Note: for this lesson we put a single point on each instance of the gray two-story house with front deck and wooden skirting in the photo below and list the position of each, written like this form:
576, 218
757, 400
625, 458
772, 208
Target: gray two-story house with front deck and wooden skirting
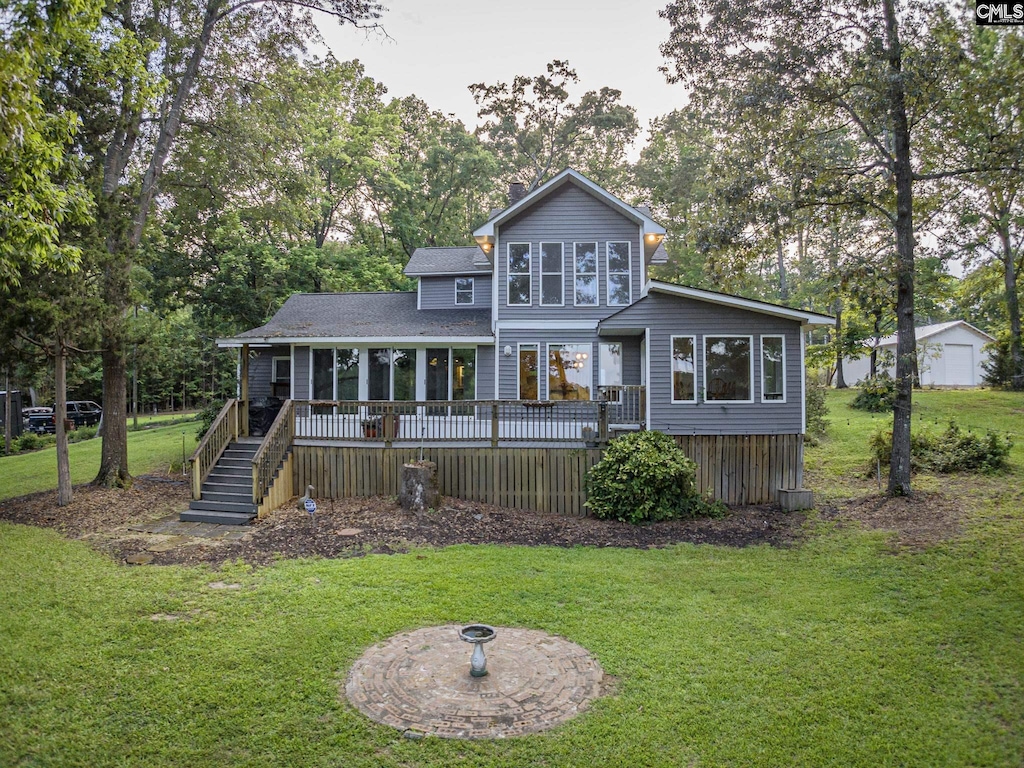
515, 362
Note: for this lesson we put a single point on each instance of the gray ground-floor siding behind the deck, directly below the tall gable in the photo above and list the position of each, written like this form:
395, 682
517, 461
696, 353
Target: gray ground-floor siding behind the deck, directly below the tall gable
508, 368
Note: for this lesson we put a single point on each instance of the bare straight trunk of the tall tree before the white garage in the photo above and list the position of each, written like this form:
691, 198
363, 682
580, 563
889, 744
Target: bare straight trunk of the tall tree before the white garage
907, 356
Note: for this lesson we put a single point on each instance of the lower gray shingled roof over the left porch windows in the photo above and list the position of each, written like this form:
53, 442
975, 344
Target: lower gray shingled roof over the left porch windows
342, 318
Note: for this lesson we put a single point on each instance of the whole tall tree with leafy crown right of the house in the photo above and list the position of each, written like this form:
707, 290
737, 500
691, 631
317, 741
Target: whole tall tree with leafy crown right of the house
851, 70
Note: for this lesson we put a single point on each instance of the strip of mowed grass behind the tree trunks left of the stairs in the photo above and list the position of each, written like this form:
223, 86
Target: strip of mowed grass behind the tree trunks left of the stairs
149, 451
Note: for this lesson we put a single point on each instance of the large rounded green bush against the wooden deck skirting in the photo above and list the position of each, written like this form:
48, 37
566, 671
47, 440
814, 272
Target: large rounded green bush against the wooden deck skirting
644, 478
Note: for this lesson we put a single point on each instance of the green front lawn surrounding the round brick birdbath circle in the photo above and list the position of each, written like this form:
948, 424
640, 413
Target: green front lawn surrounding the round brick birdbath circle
837, 653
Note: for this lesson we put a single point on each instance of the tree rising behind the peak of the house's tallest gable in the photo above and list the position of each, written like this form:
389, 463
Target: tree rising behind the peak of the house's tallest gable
535, 129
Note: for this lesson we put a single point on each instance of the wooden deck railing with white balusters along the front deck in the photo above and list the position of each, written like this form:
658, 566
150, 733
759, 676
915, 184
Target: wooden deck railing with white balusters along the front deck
497, 422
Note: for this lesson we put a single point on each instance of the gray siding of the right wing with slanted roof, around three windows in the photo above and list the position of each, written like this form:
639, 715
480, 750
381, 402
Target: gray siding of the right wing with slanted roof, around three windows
673, 316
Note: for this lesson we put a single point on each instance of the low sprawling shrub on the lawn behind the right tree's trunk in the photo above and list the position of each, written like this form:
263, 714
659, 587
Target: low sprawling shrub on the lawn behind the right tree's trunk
953, 451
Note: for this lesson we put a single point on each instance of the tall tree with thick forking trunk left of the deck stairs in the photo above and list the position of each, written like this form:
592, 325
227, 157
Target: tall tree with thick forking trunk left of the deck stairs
183, 44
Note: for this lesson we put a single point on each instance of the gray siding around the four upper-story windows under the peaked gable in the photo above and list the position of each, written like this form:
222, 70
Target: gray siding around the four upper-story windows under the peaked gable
569, 216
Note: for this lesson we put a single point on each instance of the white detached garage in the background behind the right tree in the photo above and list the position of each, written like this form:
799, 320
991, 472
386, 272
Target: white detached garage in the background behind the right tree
950, 355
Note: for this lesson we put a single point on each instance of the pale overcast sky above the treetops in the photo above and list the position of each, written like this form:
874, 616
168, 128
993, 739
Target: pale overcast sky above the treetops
440, 48
